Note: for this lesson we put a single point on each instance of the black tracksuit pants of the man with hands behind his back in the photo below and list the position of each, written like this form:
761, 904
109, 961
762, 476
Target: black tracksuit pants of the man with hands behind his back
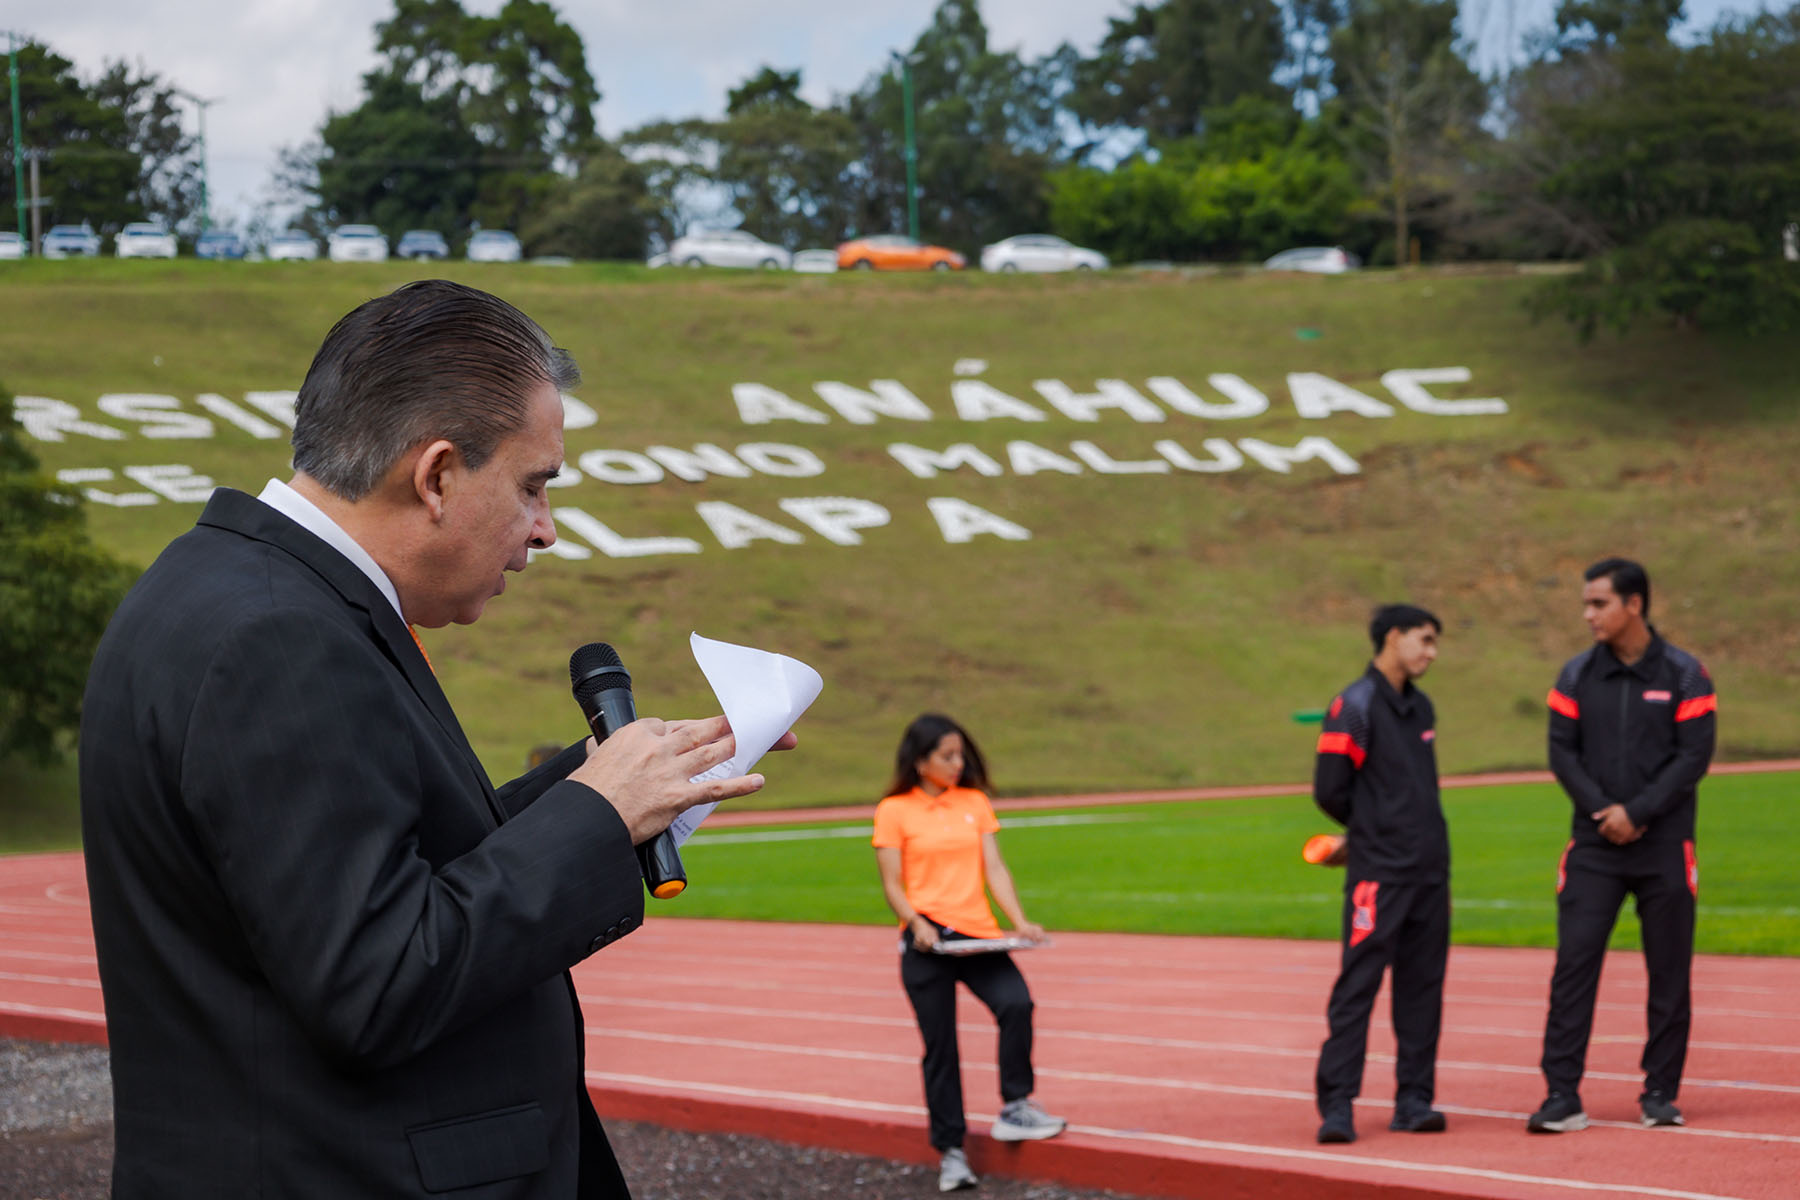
1405, 927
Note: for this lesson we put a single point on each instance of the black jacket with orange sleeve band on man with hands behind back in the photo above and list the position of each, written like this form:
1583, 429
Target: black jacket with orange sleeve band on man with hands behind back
1378, 775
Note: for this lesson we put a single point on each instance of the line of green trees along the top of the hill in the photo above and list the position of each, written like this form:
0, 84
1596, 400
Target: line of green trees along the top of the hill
1198, 130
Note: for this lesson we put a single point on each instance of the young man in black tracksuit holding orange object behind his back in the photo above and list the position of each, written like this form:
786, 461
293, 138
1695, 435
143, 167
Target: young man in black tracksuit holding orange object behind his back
1378, 775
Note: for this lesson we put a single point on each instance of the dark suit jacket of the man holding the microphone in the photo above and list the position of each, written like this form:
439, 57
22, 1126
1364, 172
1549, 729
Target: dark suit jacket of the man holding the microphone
334, 958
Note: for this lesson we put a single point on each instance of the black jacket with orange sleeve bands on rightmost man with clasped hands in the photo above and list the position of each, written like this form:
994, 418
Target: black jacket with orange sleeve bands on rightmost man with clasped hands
1637, 735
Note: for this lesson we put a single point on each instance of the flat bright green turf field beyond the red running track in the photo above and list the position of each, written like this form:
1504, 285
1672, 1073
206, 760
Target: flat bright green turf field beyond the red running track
1234, 868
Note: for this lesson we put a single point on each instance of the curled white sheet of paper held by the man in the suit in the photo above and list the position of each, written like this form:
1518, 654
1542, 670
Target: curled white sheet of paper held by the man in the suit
762, 695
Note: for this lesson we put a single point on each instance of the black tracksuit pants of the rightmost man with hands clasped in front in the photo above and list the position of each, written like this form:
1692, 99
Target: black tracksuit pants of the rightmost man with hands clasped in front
1592, 886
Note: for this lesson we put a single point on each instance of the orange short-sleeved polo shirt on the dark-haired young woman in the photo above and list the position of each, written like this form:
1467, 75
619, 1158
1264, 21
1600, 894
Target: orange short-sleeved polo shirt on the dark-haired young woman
940, 855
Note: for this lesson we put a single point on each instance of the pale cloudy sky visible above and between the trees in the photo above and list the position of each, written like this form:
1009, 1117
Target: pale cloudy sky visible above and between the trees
278, 67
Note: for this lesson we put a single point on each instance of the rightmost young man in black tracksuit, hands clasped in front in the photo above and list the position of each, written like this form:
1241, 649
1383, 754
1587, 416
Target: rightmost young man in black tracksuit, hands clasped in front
1632, 733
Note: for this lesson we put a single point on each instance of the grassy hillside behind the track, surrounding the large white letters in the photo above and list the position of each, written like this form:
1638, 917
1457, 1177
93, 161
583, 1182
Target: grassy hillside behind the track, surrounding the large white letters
1156, 629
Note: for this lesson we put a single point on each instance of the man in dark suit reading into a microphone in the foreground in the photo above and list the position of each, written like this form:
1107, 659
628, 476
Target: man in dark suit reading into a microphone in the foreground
336, 958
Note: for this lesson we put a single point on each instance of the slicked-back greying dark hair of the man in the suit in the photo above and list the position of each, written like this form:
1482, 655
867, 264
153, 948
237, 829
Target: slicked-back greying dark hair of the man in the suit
429, 361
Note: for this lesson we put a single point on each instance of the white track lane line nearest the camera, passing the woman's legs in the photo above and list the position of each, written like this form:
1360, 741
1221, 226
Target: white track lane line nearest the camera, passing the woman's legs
1338, 1161
